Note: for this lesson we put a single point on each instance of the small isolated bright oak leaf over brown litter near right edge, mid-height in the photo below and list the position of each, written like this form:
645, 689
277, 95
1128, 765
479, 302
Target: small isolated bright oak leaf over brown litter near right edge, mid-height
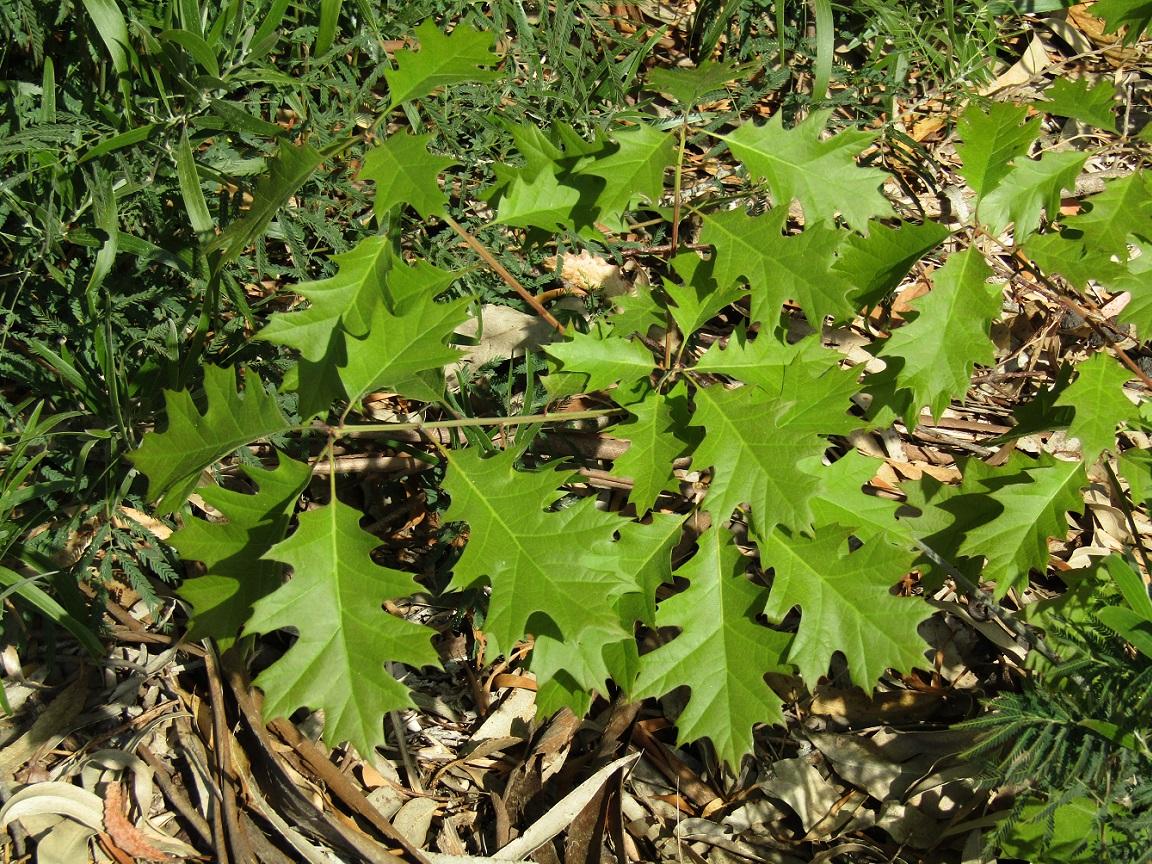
1098, 399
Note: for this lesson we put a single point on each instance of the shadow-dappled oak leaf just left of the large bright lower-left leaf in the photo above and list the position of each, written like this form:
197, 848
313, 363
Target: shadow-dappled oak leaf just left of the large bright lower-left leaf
236, 573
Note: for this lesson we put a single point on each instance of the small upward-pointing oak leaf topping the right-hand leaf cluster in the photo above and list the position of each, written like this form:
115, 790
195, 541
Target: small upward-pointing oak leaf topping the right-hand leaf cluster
992, 139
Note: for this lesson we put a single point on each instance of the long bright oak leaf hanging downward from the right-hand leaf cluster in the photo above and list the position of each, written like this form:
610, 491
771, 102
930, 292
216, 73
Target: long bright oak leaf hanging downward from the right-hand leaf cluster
935, 369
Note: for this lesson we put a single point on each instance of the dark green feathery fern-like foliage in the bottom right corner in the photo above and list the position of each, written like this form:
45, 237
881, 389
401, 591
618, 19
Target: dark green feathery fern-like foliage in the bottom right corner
1074, 749
